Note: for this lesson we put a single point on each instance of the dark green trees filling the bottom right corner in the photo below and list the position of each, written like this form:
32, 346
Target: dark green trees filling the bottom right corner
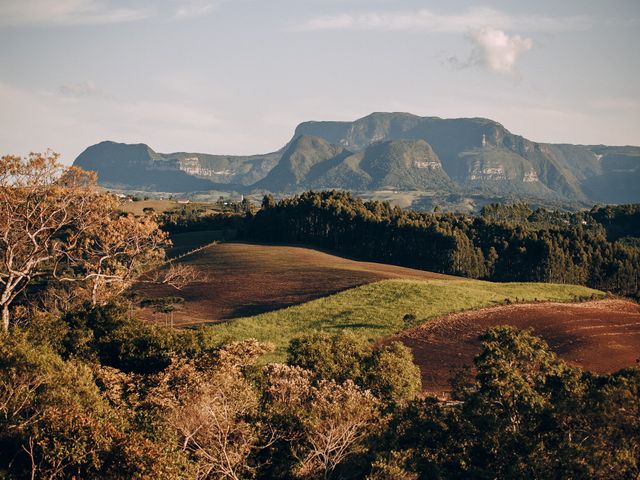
528, 415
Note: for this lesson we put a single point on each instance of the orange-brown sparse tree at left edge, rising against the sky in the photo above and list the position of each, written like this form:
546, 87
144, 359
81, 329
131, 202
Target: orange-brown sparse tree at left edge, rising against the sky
39, 201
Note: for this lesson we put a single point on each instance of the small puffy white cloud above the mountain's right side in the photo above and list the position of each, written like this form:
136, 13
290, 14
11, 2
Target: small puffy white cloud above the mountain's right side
496, 50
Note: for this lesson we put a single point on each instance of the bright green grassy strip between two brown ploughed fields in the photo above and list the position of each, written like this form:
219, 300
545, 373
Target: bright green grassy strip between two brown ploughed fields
378, 309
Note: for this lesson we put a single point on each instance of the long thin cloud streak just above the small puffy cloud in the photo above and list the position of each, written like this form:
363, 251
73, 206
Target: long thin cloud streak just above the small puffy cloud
425, 19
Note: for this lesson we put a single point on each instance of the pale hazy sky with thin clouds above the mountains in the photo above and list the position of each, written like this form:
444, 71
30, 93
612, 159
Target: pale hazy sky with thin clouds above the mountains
237, 76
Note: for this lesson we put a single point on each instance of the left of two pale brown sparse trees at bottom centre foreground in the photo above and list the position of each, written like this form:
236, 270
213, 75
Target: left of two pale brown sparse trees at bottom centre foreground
214, 410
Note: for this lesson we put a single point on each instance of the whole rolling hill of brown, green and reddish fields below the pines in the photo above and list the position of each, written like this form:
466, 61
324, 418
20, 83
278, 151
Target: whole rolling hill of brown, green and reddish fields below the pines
275, 293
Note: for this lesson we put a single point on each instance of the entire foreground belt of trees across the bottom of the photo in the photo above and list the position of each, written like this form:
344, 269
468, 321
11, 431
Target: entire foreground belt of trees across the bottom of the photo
97, 394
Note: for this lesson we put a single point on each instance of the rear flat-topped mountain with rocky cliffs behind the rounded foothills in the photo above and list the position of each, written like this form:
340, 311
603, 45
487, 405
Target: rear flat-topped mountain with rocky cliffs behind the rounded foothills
481, 154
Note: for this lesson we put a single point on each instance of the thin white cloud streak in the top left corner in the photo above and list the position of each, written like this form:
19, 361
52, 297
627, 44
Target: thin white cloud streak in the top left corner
66, 12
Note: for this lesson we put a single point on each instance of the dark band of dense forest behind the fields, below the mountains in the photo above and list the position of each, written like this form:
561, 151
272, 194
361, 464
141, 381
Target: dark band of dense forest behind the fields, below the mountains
504, 243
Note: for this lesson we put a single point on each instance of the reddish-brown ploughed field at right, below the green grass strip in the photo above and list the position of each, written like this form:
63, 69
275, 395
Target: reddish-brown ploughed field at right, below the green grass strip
600, 336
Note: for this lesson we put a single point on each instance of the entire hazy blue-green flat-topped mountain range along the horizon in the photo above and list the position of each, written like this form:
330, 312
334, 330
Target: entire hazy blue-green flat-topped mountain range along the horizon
387, 151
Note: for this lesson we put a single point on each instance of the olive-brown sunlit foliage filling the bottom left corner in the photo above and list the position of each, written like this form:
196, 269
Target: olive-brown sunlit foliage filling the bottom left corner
54, 422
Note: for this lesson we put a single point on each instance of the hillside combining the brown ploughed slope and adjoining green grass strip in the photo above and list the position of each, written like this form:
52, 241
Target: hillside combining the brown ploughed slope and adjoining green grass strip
274, 293
